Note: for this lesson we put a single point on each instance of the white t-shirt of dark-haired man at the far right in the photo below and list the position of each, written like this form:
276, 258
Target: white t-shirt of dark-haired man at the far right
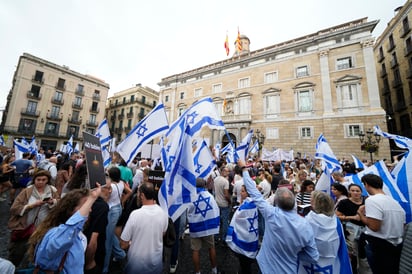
387, 210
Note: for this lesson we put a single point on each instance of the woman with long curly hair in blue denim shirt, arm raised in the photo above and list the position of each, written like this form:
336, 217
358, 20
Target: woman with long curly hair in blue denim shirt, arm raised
59, 238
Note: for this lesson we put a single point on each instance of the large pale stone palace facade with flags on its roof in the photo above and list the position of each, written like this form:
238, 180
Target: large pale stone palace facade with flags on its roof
324, 82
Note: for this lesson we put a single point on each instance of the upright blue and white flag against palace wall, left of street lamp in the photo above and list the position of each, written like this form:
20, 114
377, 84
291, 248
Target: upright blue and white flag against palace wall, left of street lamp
330, 164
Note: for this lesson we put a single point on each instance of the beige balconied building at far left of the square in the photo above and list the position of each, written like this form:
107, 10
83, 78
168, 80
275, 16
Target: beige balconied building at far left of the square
52, 102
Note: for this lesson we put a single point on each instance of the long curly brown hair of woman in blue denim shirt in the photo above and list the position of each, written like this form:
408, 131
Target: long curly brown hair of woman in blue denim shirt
57, 215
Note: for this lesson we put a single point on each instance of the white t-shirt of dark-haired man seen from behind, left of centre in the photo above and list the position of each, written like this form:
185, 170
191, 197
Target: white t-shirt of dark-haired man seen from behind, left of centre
144, 229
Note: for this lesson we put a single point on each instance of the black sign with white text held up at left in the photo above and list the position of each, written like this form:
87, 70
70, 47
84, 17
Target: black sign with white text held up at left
94, 160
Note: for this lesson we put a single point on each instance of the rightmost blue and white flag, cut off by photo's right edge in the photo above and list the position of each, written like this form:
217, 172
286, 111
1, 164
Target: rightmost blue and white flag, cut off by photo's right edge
402, 172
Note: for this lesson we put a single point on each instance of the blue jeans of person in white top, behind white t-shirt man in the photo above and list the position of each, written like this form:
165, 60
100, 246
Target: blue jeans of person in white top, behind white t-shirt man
112, 242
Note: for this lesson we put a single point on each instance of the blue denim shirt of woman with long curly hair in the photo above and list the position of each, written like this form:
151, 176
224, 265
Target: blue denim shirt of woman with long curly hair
58, 240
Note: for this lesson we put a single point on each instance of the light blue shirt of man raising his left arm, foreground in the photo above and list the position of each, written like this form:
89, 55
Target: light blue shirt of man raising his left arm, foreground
288, 237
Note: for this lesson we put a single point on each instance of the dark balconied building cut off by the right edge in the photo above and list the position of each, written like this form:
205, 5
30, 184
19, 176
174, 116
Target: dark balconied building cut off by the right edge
393, 52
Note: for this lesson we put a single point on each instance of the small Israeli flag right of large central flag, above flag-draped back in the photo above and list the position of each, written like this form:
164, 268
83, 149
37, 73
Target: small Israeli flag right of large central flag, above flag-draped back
203, 161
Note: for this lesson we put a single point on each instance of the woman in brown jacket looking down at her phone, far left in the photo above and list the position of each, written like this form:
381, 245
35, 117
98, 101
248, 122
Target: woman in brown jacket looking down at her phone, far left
31, 206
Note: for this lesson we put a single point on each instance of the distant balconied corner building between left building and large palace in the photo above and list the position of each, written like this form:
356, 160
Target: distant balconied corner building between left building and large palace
126, 108
